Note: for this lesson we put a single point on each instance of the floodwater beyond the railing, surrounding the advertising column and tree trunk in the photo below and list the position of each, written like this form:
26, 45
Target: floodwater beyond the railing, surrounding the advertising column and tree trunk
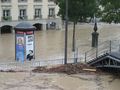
50, 44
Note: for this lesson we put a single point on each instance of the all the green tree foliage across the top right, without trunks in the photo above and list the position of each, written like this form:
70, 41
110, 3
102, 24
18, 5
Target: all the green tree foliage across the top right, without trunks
80, 10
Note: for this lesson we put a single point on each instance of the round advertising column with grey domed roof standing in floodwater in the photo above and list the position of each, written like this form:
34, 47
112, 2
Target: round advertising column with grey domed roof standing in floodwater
24, 42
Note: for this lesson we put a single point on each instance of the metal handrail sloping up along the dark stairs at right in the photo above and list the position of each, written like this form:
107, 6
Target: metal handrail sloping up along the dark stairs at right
101, 49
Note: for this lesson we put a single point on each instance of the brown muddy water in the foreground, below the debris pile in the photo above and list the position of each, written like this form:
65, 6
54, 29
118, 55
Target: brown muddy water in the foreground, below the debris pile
36, 81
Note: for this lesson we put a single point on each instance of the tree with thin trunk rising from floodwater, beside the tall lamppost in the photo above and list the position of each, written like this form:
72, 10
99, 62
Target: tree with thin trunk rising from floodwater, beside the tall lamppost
78, 10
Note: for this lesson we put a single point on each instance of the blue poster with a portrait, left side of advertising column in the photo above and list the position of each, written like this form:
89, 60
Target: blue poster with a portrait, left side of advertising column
20, 48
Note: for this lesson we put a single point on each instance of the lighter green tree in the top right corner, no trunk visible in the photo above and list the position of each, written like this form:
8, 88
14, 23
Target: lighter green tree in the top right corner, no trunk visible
110, 10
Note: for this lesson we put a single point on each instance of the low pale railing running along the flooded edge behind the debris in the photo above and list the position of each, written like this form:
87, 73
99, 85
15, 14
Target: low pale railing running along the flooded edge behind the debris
28, 65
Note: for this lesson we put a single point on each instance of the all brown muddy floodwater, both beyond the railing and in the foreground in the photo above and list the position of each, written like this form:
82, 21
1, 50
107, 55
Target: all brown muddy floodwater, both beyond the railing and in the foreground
50, 45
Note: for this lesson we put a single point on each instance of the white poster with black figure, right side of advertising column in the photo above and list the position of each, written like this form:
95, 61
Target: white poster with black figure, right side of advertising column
29, 47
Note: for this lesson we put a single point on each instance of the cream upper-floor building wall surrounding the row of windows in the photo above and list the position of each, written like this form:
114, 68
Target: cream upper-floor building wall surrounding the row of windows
30, 9
